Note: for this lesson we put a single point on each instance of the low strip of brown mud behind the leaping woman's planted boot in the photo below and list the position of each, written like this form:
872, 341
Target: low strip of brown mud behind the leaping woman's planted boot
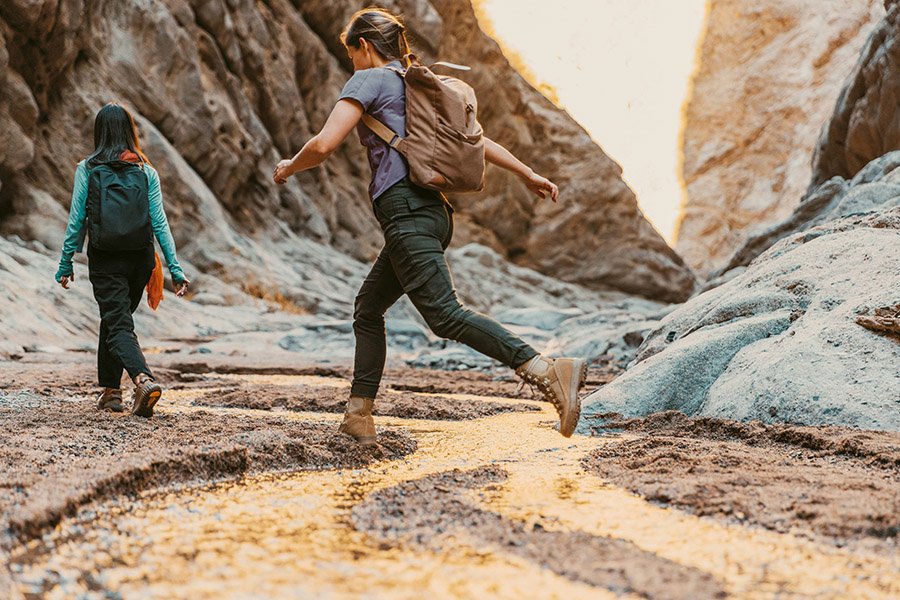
318, 398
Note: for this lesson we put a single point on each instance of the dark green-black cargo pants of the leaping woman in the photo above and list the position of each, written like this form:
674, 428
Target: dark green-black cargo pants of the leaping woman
418, 226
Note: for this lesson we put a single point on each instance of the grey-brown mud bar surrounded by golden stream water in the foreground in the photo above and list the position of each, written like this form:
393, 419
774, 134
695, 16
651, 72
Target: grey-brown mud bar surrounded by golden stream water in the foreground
430, 511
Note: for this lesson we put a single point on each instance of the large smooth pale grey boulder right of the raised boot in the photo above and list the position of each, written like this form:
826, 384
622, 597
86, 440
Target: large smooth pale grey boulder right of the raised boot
782, 340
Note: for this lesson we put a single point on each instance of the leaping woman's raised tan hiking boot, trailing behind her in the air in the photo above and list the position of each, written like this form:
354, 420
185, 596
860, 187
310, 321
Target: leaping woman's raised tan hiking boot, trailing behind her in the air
559, 380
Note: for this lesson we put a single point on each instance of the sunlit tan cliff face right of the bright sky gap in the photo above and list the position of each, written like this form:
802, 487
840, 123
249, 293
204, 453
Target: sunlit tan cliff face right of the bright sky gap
769, 74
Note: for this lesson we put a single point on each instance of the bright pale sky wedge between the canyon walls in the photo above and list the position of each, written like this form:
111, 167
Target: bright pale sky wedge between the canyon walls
621, 68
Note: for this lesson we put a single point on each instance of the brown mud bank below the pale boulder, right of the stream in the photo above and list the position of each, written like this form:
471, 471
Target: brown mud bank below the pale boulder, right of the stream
836, 483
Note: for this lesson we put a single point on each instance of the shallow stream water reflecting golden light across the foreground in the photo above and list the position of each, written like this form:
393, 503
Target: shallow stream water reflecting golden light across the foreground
292, 535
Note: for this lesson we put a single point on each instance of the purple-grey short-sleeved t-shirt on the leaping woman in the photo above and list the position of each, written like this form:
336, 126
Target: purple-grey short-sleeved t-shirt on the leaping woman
382, 94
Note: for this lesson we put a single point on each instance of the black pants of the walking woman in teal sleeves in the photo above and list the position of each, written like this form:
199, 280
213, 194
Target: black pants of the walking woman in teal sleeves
119, 279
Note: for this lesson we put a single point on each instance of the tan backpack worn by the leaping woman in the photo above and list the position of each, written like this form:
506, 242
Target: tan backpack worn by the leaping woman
444, 145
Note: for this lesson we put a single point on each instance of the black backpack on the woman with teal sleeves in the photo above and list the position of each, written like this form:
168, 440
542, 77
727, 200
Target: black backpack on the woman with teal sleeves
118, 207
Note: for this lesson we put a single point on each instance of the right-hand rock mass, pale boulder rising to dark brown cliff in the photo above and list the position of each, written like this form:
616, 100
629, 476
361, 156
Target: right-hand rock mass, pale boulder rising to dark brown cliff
802, 324
